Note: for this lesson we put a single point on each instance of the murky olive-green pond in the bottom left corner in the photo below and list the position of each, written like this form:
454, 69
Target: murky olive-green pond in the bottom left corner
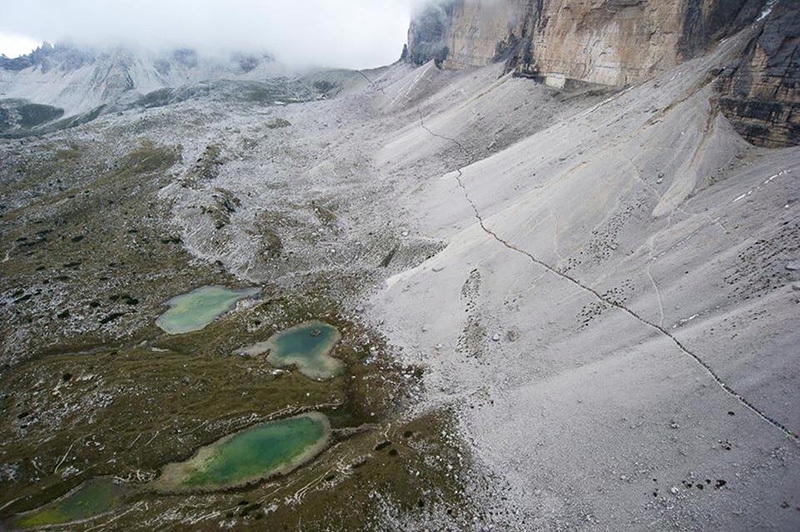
90, 499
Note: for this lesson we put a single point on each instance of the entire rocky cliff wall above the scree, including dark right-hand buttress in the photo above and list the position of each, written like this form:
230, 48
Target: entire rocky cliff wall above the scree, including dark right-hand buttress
619, 42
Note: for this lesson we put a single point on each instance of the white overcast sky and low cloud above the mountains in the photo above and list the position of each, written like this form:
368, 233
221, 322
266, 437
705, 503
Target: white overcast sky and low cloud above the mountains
340, 33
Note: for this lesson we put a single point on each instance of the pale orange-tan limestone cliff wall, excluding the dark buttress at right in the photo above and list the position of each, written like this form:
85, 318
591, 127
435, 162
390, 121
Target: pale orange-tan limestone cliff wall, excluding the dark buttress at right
611, 42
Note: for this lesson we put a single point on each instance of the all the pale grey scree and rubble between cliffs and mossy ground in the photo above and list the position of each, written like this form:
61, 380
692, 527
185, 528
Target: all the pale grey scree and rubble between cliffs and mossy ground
595, 281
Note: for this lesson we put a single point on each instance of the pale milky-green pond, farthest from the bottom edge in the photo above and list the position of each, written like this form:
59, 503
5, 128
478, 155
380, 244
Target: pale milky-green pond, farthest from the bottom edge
193, 311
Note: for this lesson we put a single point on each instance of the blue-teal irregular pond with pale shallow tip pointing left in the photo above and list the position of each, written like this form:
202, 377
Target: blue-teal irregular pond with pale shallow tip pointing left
306, 346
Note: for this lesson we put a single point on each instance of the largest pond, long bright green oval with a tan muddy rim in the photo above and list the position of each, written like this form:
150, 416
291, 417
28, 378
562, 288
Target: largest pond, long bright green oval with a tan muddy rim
269, 449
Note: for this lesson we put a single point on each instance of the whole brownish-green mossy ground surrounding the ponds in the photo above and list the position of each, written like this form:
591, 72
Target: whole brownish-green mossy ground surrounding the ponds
91, 387
